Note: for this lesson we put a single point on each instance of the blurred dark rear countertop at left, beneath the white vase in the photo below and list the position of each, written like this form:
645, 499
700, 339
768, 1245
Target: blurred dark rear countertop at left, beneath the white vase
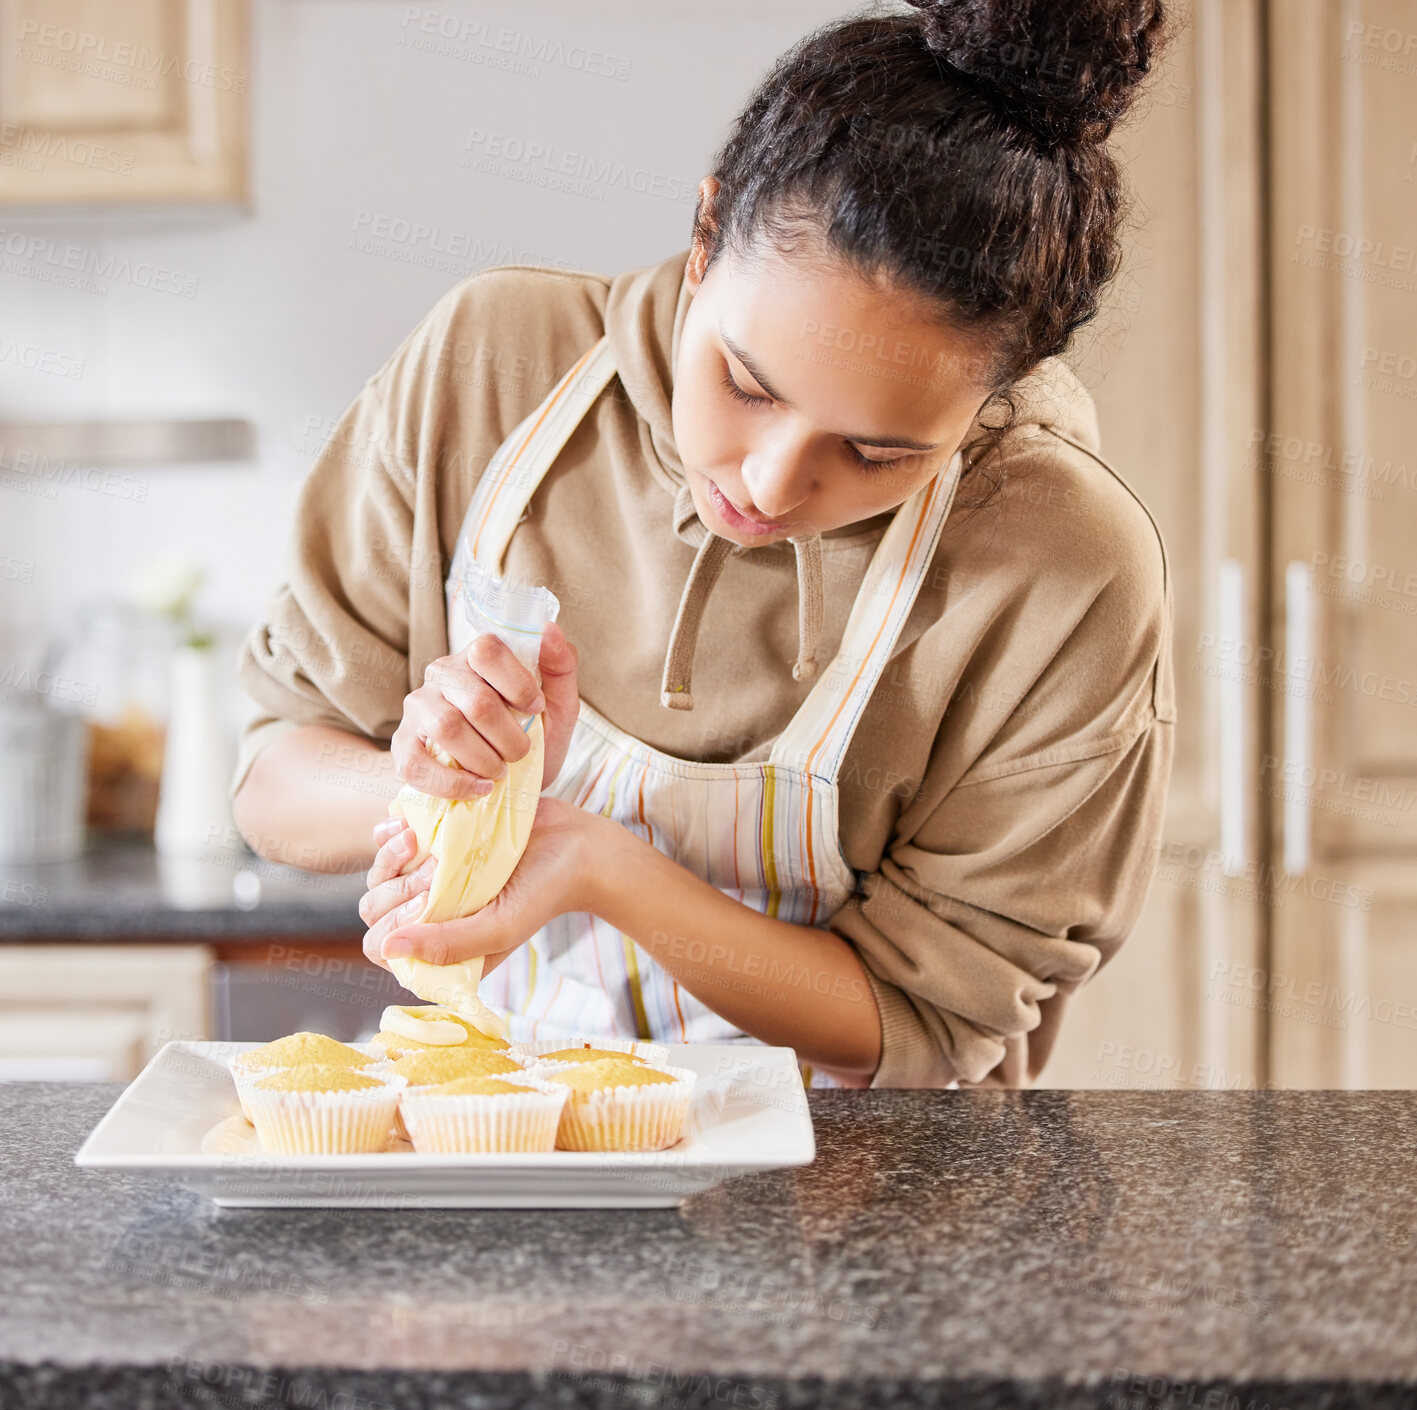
121, 889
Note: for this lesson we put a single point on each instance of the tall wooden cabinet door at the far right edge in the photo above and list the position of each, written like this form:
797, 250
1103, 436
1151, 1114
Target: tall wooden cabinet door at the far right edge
1343, 777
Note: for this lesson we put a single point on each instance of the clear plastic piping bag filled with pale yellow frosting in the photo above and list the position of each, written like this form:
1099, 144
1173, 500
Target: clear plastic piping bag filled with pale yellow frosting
478, 842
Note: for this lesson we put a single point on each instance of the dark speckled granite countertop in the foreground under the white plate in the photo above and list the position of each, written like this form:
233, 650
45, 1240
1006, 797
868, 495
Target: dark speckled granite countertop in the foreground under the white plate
1134, 1251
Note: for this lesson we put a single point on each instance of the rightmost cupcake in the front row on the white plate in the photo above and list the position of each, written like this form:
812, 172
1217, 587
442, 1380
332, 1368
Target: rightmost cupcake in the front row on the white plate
620, 1105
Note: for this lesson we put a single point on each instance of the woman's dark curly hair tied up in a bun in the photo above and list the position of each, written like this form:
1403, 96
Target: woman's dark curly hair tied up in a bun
959, 151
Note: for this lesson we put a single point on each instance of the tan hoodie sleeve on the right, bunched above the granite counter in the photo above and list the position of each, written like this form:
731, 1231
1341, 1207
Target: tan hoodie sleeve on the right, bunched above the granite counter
1034, 865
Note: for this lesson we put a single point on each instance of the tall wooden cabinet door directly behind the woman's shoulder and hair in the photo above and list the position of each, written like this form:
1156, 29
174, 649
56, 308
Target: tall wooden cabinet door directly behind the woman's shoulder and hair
1174, 363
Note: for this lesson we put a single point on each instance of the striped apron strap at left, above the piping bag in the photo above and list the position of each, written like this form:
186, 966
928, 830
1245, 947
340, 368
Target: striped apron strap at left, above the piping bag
512, 475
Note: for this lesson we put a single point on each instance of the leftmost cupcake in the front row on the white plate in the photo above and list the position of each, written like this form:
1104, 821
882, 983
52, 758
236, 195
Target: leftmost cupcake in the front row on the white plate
324, 1110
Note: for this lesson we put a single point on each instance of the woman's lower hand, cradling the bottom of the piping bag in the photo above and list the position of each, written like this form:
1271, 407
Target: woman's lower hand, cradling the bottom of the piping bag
553, 876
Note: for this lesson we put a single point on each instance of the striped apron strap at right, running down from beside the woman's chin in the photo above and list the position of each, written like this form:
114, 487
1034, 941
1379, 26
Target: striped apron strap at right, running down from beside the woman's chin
820, 733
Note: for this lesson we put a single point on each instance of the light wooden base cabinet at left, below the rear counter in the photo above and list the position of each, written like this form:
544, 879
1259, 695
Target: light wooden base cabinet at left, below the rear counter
98, 1013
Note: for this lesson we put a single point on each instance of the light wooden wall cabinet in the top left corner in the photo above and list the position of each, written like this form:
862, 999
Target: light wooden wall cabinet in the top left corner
123, 101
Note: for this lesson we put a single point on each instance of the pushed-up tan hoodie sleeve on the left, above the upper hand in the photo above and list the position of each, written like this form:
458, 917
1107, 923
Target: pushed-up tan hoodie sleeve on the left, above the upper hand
362, 613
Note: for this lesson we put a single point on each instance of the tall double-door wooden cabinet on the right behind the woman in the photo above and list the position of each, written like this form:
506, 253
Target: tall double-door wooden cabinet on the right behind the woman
1256, 380
